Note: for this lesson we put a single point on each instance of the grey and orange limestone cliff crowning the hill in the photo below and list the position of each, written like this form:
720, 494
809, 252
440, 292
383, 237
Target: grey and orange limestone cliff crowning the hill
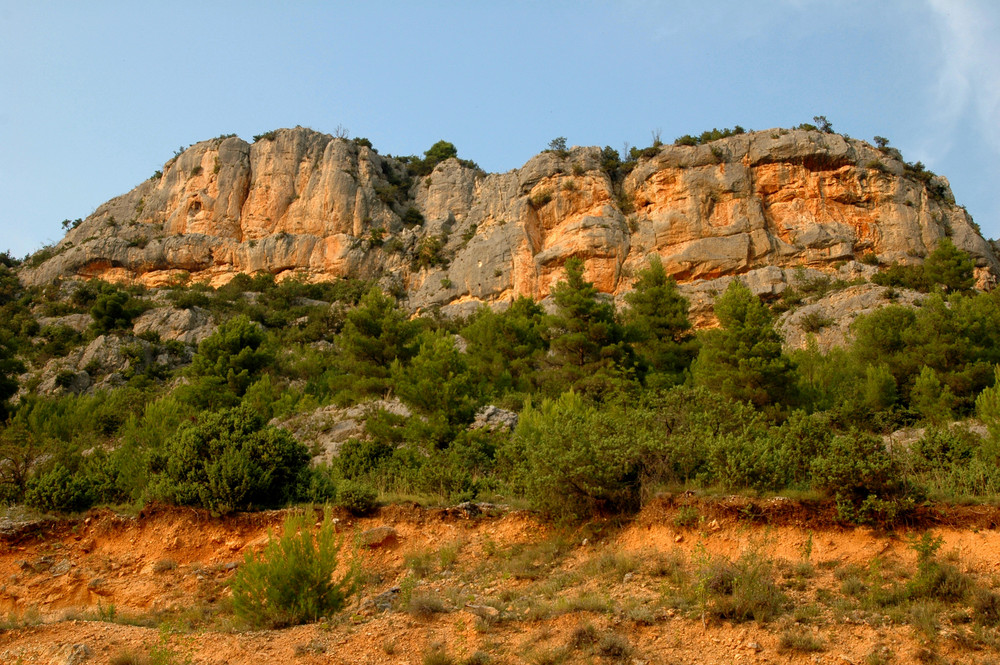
305, 204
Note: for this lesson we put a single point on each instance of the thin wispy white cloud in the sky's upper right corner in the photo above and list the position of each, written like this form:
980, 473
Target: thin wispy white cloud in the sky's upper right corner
968, 82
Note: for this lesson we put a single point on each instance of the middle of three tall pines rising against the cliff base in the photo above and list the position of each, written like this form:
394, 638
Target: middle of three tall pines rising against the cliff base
659, 327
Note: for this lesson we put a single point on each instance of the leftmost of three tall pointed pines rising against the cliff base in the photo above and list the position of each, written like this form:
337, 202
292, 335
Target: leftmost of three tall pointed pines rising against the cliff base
588, 348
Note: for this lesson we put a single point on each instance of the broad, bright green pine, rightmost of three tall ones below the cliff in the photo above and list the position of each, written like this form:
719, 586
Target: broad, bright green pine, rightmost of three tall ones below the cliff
743, 359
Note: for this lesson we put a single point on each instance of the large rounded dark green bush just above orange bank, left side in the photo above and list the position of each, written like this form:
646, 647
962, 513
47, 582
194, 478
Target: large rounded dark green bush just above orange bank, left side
232, 460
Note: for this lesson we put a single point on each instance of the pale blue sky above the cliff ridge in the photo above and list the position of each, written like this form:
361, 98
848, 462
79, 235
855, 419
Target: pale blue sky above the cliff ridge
95, 96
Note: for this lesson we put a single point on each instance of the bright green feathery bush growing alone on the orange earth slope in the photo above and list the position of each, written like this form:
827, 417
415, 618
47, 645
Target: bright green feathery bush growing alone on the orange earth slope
292, 582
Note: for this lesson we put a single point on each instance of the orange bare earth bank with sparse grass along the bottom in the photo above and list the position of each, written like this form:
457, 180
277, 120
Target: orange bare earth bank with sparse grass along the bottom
462, 585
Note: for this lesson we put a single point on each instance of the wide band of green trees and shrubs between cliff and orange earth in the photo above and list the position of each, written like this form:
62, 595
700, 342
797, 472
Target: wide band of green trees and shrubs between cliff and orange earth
615, 404
